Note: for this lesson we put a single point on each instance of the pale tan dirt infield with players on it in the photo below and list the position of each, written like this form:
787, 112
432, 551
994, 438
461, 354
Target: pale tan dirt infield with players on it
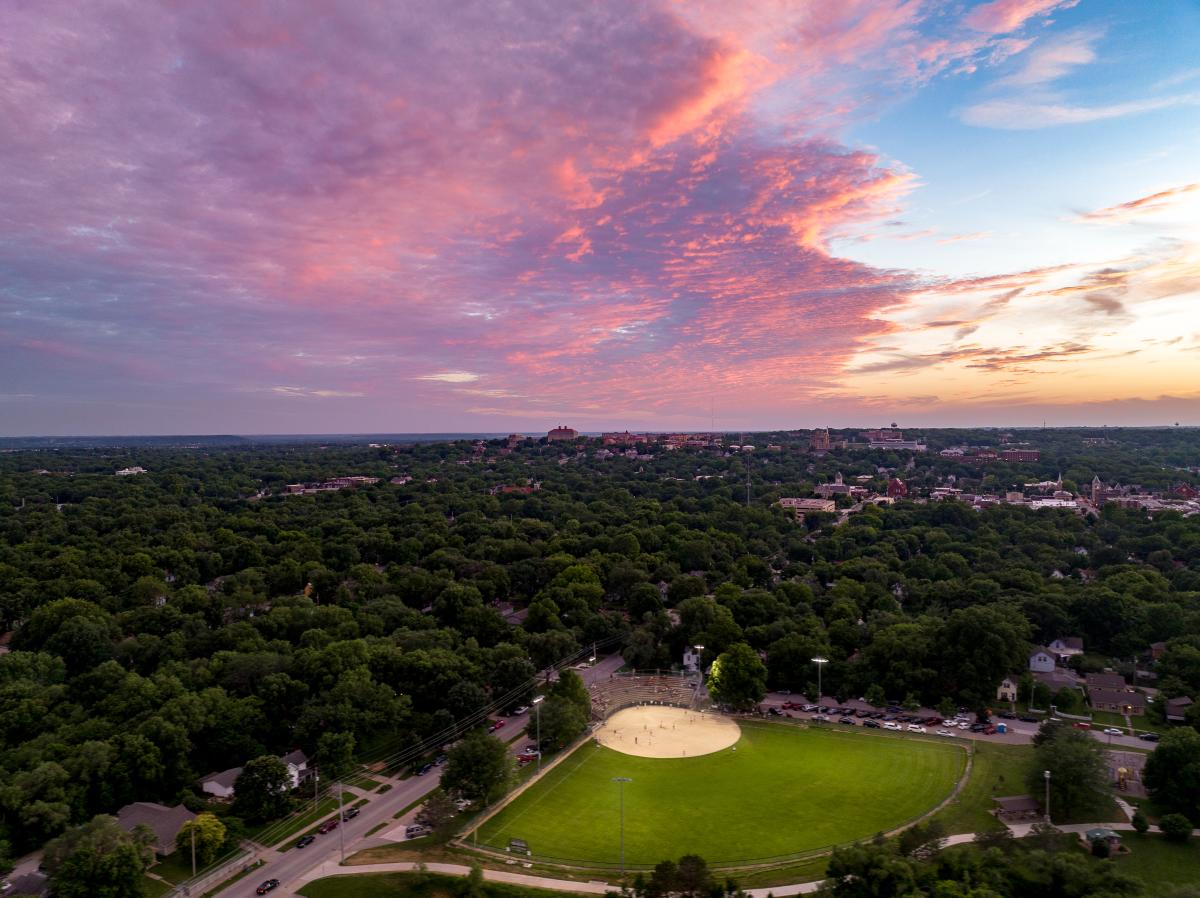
662, 732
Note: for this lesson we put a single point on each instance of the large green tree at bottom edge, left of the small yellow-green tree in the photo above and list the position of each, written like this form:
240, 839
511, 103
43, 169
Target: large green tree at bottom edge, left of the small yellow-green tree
99, 860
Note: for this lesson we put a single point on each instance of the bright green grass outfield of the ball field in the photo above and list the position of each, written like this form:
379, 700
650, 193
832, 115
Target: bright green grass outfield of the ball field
785, 791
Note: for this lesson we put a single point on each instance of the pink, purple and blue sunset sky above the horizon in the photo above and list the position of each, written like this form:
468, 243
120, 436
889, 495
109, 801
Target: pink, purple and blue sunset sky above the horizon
401, 217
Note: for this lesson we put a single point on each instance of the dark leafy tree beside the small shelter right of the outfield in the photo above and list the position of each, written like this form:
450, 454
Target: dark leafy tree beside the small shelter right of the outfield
1079, 779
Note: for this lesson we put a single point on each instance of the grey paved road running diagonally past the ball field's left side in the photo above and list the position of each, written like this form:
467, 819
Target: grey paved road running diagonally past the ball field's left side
295, 867
